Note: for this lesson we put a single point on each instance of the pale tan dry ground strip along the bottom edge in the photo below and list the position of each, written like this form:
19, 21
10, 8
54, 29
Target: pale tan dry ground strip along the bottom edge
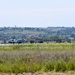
42, 73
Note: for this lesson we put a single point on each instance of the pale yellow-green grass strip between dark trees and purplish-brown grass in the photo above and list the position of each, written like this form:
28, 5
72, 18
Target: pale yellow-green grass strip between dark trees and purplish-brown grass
39, 46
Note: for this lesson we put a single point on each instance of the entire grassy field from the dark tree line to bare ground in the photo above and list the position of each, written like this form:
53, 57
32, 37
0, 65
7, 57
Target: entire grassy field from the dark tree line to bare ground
56, 57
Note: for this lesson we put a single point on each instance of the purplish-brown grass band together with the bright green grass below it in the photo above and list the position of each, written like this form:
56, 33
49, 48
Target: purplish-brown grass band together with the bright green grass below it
33, 61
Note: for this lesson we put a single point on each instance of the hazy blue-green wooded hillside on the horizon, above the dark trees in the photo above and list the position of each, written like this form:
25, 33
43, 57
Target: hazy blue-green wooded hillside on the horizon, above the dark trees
48, 33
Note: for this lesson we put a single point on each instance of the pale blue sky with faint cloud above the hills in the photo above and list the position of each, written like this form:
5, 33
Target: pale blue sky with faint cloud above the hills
37, 13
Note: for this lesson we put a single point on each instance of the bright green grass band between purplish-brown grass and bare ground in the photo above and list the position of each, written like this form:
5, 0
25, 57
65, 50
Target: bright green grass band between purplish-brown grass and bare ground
20, 67
